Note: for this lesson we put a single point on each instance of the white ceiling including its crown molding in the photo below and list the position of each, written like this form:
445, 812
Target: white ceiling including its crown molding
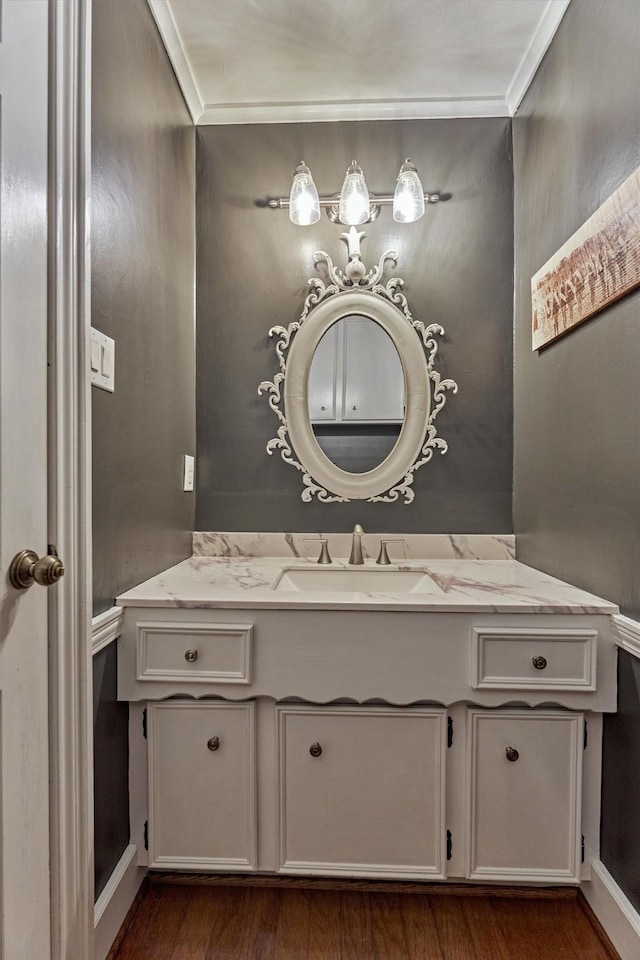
262, 61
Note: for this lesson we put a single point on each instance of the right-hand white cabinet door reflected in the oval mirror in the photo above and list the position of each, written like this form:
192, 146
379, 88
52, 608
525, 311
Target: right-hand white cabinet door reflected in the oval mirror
373, 385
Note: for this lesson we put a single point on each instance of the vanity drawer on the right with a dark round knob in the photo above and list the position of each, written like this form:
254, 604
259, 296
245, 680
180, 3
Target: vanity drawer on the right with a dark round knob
533, 659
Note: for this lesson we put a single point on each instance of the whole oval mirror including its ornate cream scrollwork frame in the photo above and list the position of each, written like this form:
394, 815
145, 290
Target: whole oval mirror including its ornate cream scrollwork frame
357, 392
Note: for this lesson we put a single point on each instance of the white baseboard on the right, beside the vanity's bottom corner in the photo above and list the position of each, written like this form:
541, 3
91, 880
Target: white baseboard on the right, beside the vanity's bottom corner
615, 912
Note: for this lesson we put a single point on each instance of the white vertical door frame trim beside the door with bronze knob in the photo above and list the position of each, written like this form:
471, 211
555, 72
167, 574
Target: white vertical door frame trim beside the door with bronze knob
70, 667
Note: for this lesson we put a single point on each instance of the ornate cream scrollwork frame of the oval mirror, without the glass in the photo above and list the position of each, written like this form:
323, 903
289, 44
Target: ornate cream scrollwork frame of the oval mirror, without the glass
345, 293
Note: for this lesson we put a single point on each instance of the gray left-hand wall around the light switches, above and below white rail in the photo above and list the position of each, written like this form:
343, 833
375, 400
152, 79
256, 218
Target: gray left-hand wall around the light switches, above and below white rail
143, 238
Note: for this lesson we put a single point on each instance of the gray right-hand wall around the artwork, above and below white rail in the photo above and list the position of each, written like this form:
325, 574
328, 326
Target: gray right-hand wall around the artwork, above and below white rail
577, 440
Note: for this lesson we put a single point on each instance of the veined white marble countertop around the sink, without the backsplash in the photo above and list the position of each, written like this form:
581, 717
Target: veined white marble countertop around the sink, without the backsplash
461, 586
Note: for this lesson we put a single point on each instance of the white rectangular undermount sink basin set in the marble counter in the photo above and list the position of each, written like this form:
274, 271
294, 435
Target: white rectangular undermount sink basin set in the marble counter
356, 581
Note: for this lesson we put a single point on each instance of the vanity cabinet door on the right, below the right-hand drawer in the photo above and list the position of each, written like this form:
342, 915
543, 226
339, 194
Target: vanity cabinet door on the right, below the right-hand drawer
524, 791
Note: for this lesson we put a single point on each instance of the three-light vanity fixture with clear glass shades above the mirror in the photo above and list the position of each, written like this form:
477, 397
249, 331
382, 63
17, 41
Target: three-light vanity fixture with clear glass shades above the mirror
354, 204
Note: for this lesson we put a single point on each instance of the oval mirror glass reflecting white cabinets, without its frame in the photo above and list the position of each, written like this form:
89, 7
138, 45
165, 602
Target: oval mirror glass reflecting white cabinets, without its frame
356, 394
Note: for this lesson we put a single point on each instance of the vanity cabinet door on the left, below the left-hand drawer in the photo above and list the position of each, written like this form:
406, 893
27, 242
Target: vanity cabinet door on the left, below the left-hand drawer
202, 805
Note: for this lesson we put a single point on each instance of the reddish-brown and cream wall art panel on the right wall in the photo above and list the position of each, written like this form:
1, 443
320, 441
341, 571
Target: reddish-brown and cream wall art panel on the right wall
599, 264
